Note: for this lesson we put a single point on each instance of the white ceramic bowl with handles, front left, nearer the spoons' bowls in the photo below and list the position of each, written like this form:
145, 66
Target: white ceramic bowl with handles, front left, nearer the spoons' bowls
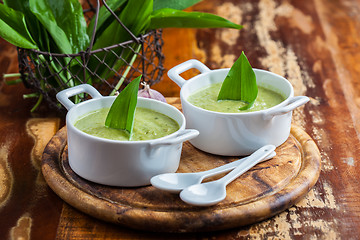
120, 163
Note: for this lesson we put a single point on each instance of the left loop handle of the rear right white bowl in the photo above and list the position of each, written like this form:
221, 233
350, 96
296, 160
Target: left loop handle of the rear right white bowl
174, 73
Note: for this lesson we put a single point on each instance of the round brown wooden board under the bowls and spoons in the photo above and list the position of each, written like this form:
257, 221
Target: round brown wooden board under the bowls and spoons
265, 190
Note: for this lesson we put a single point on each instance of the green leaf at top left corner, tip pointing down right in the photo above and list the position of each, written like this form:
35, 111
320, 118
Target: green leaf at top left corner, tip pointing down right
13, 28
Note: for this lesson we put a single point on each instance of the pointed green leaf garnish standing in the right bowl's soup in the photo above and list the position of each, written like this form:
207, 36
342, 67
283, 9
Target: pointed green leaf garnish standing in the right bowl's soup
240, 83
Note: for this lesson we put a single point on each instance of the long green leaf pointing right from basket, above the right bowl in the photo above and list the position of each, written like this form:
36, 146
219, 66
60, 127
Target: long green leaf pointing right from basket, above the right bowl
172, 18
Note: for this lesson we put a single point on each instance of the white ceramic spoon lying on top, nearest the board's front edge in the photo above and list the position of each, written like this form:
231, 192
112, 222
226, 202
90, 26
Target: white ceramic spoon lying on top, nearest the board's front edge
210, 193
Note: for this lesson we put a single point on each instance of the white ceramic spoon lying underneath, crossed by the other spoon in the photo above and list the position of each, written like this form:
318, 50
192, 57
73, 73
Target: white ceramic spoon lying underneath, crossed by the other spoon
176, 182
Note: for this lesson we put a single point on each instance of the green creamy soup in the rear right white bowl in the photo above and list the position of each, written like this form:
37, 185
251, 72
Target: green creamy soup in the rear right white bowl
207, 99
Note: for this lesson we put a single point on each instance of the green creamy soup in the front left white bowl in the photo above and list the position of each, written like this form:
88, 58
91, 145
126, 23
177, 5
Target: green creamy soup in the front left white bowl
148, 124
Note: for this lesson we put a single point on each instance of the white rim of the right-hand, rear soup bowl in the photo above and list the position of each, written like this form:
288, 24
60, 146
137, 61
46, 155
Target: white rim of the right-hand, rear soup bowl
236, 114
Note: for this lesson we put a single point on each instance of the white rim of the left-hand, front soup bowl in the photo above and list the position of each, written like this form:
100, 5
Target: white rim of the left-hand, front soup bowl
106, 140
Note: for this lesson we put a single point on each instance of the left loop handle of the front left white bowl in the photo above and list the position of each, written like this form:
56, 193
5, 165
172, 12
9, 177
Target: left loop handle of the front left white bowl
64, 95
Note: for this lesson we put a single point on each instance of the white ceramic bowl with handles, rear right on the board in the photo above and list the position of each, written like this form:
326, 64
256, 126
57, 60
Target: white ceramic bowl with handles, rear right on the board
235, 134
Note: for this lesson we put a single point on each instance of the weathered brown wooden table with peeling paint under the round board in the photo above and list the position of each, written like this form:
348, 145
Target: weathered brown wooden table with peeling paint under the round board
315, 44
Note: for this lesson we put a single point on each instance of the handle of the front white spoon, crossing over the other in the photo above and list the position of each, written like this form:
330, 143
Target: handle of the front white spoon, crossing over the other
244, 166
